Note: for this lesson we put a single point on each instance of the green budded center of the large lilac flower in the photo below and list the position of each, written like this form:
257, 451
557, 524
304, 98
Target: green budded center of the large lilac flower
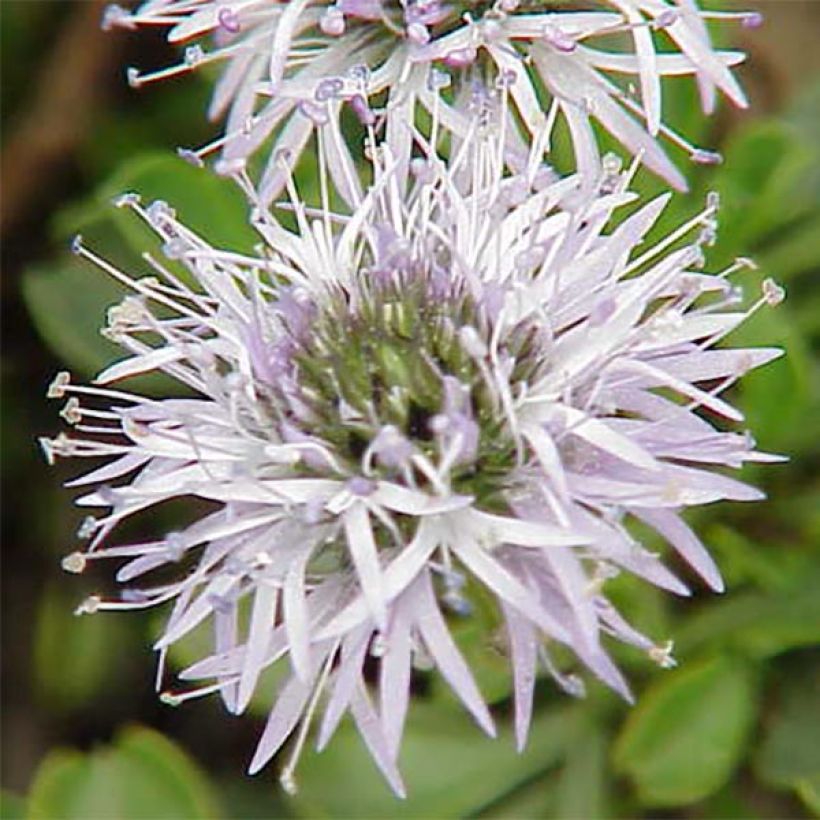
398, 356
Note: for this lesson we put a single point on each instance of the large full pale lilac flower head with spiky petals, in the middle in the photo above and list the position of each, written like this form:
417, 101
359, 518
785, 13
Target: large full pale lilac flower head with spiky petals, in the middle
463, 392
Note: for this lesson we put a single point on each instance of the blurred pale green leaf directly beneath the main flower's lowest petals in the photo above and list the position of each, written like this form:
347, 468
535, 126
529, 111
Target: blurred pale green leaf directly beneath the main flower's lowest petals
450, 769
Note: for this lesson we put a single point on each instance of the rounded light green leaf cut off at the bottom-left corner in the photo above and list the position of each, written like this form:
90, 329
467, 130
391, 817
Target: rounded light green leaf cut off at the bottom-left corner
143, 776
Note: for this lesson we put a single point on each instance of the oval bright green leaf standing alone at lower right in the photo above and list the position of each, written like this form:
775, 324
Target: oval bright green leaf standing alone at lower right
688, 733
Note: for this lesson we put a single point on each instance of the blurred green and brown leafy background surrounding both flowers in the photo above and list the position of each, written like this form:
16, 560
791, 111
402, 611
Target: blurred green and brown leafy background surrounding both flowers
732, 732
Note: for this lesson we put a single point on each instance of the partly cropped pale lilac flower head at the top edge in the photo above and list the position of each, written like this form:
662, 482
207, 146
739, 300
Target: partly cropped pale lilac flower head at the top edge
291, 66
